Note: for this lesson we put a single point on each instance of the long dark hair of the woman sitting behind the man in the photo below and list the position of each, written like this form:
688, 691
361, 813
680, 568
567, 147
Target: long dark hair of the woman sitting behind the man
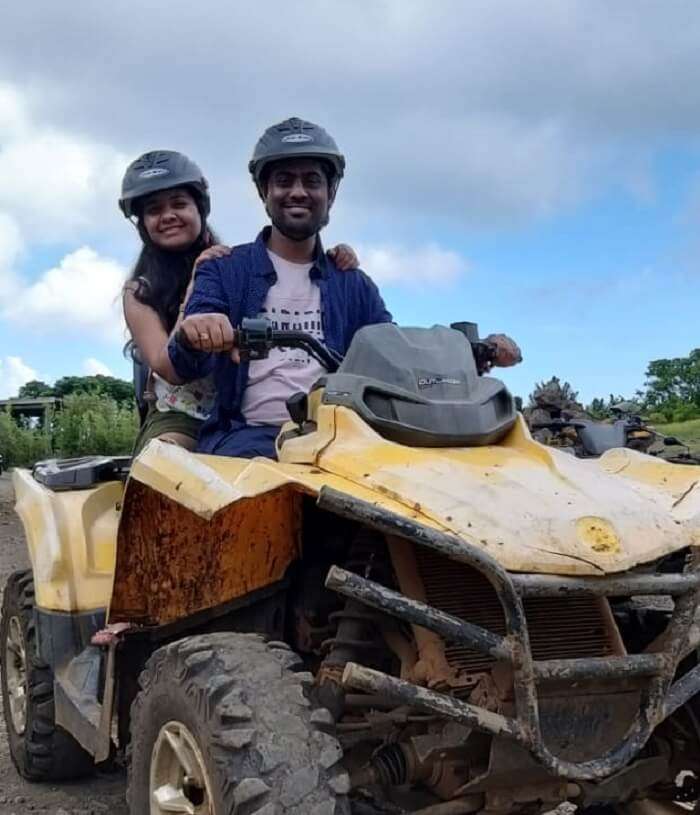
162, 277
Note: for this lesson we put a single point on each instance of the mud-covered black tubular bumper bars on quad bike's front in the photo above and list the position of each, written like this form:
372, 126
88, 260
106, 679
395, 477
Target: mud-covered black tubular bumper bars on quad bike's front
660, 695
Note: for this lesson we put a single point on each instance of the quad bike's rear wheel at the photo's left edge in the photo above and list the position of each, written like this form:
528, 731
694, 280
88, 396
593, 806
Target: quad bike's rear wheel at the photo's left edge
40, 749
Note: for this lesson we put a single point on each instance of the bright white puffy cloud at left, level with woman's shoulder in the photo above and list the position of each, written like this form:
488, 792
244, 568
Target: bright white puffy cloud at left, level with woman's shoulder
80, 294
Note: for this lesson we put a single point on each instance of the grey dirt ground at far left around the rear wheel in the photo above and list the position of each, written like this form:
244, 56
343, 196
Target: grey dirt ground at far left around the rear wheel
92, 796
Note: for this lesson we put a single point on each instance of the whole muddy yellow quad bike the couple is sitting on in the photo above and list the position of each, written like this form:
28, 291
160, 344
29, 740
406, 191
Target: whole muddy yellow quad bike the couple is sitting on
417, 608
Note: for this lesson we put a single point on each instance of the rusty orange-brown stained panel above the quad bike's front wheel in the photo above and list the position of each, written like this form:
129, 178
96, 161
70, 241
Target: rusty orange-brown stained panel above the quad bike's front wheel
172, 563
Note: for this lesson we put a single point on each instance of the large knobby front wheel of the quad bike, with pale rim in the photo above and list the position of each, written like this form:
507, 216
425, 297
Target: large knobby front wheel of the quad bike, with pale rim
222, 724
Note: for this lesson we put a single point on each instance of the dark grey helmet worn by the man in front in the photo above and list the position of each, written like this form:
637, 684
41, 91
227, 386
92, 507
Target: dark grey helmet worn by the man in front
295, 138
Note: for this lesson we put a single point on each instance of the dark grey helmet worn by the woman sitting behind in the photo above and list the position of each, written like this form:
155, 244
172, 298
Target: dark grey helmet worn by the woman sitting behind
162, 170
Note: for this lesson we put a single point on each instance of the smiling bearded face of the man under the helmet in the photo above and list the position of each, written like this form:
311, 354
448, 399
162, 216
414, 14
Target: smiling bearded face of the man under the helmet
297, 197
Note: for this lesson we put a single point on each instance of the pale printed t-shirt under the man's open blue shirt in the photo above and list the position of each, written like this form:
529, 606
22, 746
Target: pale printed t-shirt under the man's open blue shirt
293, 303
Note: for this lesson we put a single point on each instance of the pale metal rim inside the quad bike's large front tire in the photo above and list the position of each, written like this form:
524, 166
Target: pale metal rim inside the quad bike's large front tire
179, 781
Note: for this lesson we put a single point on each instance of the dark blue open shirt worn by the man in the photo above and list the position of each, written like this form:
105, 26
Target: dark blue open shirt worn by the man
237, 285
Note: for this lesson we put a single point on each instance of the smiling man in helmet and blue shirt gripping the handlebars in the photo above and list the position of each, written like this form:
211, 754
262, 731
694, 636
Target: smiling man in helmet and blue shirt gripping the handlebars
283, 276
